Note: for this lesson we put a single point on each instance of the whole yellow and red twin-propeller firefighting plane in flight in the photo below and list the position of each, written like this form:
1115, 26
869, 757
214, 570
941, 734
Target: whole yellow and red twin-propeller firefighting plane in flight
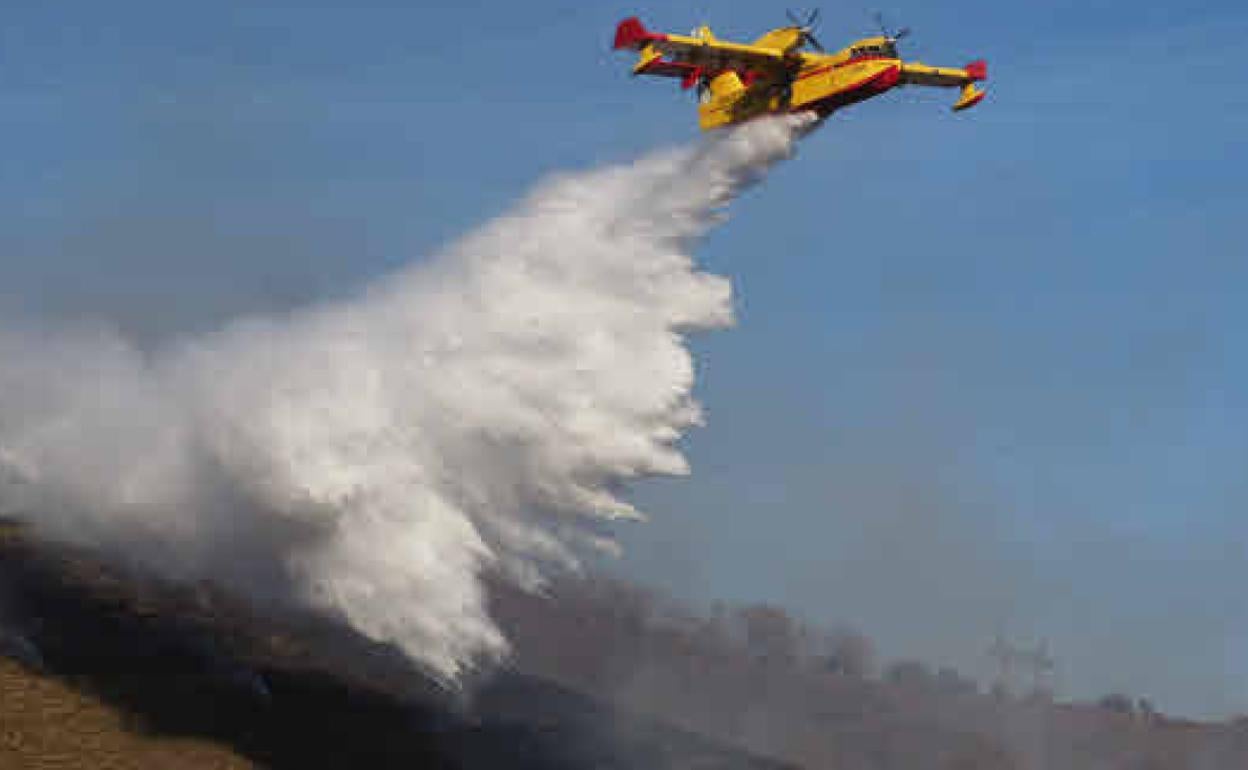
772, 76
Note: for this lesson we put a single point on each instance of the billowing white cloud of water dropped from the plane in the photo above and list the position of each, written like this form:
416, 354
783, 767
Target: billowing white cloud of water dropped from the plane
374, 459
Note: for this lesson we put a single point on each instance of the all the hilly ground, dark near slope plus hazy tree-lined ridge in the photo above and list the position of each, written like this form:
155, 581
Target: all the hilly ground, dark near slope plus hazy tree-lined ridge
125, 672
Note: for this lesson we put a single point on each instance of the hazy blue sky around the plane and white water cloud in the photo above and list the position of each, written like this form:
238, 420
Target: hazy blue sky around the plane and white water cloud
989, 371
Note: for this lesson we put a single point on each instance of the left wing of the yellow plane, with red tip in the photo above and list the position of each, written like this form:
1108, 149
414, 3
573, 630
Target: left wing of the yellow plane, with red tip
691, 58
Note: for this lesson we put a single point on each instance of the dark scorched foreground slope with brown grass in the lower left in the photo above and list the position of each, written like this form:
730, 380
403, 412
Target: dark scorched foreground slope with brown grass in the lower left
123, 672
